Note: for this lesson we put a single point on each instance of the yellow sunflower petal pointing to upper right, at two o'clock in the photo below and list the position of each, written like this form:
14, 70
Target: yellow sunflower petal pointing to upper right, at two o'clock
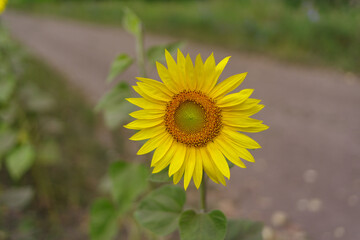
227, 85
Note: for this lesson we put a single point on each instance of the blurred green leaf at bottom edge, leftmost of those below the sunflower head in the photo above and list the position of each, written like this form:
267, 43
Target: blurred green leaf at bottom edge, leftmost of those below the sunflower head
103, 220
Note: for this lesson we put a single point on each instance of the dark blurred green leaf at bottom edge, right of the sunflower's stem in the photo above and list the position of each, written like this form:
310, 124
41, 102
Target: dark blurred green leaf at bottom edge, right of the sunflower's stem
244, 229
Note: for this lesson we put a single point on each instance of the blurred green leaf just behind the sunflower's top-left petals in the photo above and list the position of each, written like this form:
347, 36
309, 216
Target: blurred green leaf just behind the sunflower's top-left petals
157, 53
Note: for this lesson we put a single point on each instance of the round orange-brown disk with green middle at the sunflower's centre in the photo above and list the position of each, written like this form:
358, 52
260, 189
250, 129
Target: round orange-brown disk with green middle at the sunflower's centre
193, 118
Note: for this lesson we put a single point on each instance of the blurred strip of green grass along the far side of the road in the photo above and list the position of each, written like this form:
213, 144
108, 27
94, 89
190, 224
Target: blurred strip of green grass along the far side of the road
267, 27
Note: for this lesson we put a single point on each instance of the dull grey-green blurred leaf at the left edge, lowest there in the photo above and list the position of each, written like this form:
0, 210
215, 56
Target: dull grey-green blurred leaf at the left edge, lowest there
17, 198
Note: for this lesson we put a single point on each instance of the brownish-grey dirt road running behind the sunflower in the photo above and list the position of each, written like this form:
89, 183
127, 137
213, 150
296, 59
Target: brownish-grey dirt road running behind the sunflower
309, 166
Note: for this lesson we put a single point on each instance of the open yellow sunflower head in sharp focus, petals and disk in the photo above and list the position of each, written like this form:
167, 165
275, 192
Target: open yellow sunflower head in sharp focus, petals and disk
191, 121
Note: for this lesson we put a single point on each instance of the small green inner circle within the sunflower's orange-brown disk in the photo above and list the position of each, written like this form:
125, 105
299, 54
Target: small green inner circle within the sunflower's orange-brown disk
190, 117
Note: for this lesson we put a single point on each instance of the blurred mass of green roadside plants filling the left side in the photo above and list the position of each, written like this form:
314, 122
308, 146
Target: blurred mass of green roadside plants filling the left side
50, 157
